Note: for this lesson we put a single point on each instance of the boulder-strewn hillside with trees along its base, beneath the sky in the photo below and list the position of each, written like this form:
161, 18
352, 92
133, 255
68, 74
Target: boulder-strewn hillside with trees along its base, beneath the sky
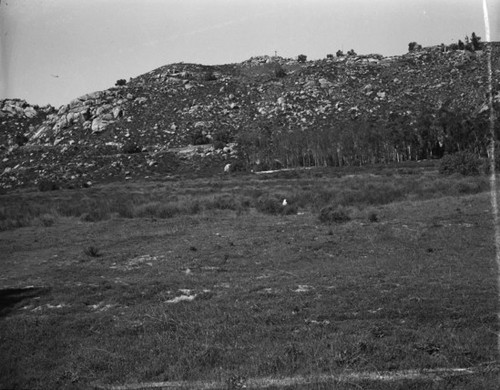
267, 112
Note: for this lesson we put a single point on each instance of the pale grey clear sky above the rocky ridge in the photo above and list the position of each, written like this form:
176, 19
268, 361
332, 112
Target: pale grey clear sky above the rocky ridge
52, 51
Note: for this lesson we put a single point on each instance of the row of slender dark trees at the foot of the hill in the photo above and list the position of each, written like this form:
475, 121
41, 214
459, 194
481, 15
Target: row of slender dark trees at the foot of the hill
276, 143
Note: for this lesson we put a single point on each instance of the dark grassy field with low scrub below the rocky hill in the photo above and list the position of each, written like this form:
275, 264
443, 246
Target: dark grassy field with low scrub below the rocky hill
202, 279
